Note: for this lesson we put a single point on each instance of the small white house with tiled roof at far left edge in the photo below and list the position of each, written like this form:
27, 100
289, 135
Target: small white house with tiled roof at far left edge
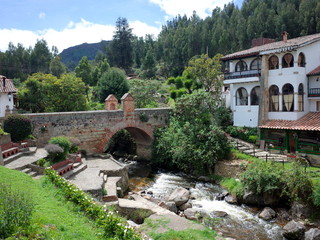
7, 89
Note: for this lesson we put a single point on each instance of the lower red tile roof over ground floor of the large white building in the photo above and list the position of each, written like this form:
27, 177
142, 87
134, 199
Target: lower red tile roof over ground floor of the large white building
309, 122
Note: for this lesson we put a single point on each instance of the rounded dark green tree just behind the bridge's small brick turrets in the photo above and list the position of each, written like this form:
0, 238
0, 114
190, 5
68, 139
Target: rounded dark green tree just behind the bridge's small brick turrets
112, 82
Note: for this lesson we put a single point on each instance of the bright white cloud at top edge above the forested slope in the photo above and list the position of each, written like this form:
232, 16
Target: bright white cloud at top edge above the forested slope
182, 7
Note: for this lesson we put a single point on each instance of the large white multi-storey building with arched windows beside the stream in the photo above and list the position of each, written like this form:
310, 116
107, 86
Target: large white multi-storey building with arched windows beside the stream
275, 85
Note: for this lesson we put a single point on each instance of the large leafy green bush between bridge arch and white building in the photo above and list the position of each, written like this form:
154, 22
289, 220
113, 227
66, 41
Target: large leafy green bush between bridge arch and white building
192, 141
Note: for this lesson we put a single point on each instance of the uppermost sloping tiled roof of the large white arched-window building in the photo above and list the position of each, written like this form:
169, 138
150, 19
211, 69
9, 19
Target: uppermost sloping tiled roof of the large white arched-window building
291, 44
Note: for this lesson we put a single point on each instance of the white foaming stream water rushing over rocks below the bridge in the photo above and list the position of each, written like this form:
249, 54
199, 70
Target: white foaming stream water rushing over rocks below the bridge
241, 223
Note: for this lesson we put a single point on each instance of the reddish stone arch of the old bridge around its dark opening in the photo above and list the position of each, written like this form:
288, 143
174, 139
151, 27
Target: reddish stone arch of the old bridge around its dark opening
143, 139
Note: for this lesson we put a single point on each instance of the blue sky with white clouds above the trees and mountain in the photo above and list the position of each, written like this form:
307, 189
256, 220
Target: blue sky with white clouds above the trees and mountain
66, 23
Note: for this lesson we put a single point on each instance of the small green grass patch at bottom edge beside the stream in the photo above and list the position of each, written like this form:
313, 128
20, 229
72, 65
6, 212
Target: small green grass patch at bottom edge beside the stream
190, 234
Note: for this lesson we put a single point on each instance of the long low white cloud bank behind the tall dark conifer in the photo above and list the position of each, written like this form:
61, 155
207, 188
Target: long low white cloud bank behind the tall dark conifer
73, 34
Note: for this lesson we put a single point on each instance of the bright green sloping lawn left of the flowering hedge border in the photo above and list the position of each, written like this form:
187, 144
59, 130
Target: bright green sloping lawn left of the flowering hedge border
53, 217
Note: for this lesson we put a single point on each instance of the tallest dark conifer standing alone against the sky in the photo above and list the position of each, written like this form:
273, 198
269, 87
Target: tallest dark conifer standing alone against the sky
119, 51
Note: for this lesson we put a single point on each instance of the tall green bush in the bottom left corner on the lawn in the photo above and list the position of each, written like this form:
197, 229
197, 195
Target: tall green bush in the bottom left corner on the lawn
15, 210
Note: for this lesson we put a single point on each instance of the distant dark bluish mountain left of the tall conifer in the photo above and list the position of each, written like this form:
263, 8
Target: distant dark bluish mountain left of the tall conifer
72, 55
